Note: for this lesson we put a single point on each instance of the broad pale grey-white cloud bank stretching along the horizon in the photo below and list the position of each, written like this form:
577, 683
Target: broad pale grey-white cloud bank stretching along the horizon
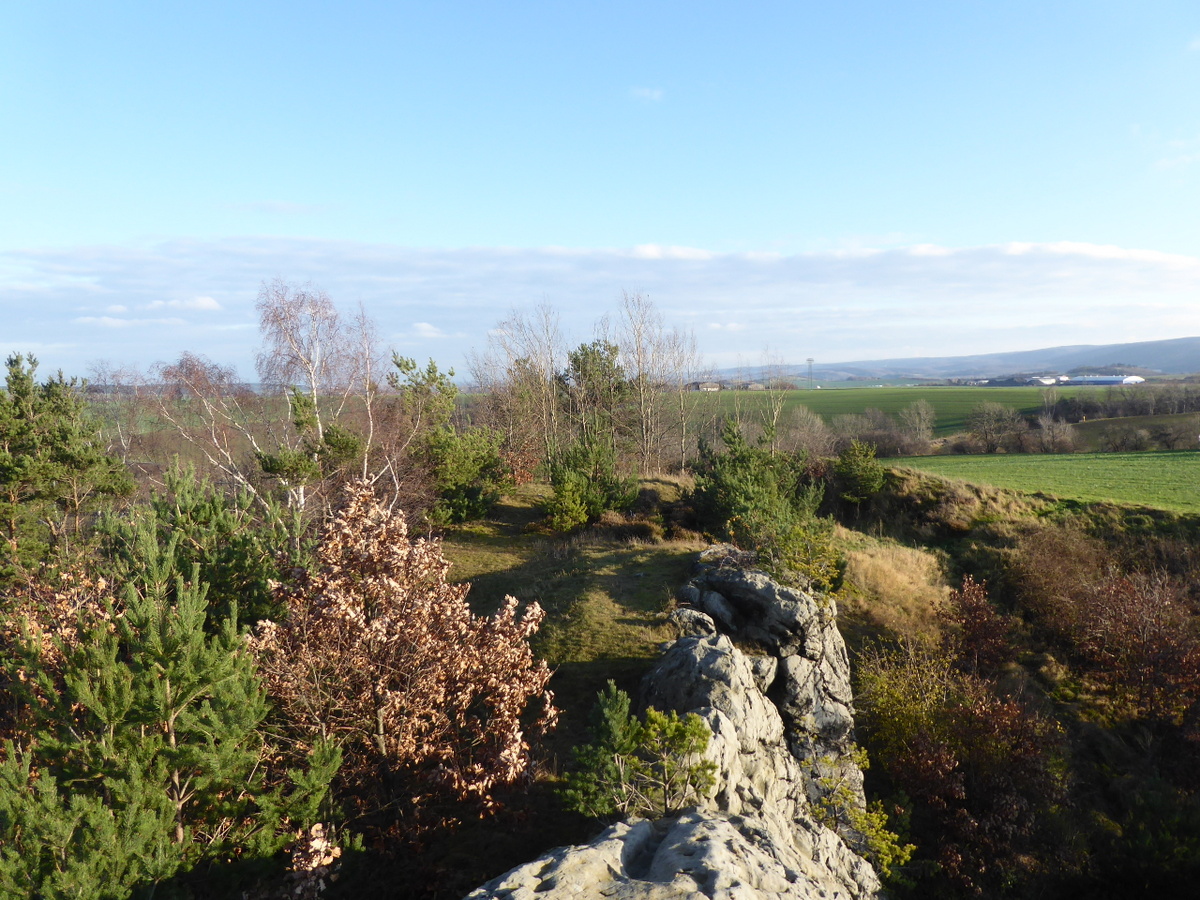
833, 305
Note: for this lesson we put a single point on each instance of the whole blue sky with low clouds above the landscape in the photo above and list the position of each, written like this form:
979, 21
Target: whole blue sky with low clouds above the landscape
844, 182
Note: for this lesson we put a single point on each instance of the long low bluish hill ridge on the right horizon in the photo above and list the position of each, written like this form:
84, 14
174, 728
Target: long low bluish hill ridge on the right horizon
1180, 356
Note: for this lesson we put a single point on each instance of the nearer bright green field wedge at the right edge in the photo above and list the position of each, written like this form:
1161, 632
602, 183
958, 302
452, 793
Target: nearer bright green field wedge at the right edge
1166, 481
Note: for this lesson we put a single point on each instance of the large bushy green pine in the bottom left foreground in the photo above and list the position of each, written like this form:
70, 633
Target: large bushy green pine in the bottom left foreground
145, 759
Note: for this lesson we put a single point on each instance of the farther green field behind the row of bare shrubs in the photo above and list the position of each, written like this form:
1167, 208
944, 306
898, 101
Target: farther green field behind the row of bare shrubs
951, 404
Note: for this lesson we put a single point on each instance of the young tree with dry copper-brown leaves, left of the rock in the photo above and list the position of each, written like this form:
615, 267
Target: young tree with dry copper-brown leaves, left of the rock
382, 655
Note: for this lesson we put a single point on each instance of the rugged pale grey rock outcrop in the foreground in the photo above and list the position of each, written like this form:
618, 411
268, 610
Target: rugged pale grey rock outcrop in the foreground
765, 667
